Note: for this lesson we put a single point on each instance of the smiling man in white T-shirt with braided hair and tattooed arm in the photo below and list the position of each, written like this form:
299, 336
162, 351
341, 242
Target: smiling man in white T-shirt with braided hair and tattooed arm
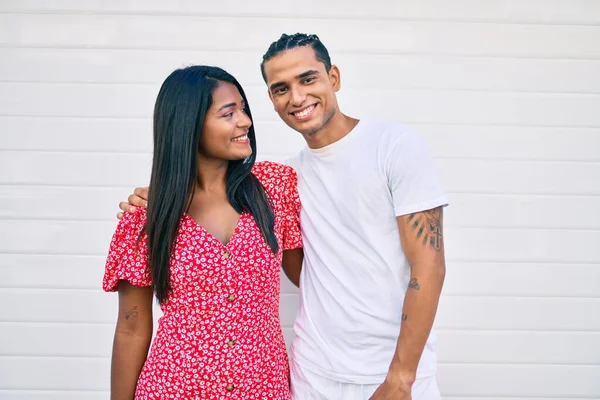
371, 222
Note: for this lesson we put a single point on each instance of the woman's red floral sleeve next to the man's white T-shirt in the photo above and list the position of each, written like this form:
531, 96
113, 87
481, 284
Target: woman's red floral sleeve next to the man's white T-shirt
292, 236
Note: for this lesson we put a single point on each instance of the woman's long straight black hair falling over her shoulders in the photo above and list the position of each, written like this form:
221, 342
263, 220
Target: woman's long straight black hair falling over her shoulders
183, 101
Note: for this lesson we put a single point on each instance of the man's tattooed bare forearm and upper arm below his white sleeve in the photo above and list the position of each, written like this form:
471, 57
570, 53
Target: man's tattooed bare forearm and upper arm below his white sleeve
422, 240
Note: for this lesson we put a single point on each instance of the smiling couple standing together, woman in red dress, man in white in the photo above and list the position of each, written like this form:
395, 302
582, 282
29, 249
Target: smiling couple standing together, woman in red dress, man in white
369, 259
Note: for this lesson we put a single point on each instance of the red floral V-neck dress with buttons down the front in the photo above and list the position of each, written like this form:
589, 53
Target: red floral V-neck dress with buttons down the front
220, 336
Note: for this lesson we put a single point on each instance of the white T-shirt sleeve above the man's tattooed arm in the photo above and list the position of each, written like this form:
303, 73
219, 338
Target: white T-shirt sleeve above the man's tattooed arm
412, 175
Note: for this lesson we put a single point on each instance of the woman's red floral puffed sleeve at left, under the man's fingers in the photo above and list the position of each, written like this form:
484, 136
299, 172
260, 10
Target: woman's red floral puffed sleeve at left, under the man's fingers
127, 256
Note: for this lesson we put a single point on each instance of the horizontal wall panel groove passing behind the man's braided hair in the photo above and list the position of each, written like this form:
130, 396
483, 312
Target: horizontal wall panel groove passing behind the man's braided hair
364, 52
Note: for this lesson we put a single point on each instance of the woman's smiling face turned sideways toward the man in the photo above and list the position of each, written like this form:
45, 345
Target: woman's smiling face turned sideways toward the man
226, 125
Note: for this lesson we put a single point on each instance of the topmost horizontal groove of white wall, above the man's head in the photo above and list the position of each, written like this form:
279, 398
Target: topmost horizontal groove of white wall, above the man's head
296, 16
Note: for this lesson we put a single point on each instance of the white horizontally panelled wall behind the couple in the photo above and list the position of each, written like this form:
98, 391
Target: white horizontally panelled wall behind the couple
506, 92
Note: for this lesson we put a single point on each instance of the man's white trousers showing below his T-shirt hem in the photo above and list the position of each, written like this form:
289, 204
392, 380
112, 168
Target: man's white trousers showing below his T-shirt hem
307, 385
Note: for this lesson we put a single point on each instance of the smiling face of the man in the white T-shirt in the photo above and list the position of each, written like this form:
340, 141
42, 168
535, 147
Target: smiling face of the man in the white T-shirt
302, 92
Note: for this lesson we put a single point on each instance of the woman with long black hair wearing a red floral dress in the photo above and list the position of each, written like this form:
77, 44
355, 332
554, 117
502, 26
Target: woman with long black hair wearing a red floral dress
209, 247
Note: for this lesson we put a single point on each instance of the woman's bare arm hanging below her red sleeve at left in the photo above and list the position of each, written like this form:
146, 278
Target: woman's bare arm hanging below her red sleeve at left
133, 335
